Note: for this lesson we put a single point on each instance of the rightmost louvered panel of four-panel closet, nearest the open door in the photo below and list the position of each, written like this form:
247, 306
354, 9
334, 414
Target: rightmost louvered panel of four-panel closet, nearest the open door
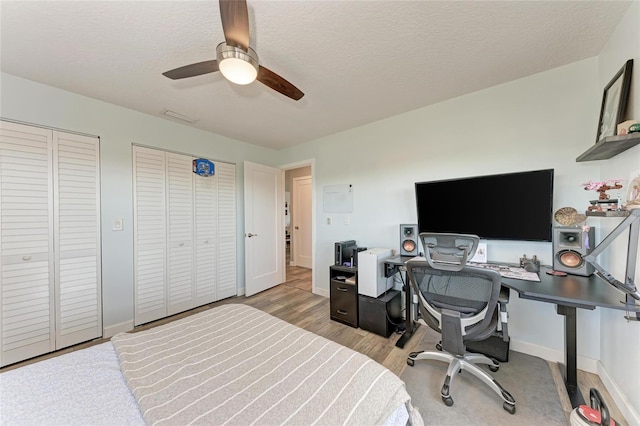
226, 283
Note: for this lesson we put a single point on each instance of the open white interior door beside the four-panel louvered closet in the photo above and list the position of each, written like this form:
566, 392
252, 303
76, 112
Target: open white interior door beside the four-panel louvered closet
263, 227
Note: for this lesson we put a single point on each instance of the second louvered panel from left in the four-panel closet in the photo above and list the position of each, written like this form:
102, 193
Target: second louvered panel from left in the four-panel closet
180, 294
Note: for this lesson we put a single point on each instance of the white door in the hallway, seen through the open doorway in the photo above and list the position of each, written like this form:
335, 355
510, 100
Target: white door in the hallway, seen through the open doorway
302, 221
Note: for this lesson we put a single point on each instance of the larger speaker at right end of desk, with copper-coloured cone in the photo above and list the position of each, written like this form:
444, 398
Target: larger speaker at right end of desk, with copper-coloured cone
569, 245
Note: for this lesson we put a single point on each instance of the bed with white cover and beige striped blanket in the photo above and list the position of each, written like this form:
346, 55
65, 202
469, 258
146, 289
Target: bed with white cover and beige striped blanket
233, 364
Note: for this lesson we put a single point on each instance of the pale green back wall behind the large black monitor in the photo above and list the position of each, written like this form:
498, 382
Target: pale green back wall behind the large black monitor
543, 121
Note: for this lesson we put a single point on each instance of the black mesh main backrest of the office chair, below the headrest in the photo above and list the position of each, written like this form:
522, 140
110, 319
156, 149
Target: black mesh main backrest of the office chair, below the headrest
467, 298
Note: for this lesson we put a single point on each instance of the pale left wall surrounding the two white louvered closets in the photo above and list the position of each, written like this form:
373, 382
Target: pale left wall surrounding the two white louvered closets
118, 128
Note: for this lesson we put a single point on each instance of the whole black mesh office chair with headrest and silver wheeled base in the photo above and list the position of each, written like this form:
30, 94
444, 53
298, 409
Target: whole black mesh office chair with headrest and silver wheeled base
460, 302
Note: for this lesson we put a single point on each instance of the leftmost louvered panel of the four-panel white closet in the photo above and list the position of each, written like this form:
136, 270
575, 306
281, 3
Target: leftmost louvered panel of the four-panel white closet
149, 234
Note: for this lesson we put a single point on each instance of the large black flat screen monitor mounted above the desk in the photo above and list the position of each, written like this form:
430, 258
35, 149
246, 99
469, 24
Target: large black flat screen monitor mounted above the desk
511, 206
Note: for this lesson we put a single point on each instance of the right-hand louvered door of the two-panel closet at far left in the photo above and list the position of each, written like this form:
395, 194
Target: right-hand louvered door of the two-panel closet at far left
77, 236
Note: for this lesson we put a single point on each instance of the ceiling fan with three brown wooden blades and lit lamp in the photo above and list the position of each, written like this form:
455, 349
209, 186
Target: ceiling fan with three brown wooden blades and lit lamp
236, 61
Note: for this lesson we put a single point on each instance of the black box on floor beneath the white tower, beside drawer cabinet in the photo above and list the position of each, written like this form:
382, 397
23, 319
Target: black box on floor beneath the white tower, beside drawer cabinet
380, 315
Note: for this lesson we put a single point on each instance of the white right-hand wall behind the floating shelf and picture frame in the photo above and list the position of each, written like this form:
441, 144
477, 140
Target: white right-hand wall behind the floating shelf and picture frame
619, 339
